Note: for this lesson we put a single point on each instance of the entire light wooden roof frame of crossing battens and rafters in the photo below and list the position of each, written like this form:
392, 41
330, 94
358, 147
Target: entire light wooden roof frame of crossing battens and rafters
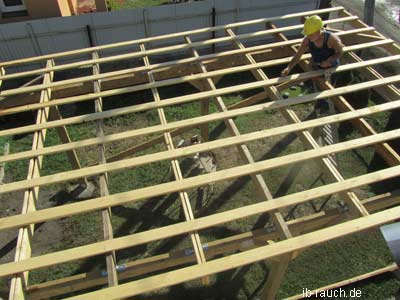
294, 235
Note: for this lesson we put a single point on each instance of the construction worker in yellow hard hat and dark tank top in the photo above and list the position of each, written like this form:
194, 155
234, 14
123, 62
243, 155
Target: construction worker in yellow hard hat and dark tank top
324, 46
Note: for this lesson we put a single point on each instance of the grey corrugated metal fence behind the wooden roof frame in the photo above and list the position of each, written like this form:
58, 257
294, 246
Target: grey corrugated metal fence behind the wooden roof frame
37, 37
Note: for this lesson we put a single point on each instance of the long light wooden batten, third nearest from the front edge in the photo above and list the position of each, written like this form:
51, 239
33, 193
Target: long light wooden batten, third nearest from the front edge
193, 182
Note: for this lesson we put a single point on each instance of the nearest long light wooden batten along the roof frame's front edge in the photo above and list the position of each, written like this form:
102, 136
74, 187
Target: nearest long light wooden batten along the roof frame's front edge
241, 259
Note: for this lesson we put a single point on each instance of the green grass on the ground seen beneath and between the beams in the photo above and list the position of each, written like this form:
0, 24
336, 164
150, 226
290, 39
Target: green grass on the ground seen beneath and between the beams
320, 265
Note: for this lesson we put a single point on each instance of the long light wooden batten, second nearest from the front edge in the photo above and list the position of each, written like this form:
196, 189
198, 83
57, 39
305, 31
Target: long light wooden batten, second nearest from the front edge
197, 224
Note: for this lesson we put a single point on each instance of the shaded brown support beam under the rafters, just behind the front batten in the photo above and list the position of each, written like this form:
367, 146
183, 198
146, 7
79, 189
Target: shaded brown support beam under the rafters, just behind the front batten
240, 242
